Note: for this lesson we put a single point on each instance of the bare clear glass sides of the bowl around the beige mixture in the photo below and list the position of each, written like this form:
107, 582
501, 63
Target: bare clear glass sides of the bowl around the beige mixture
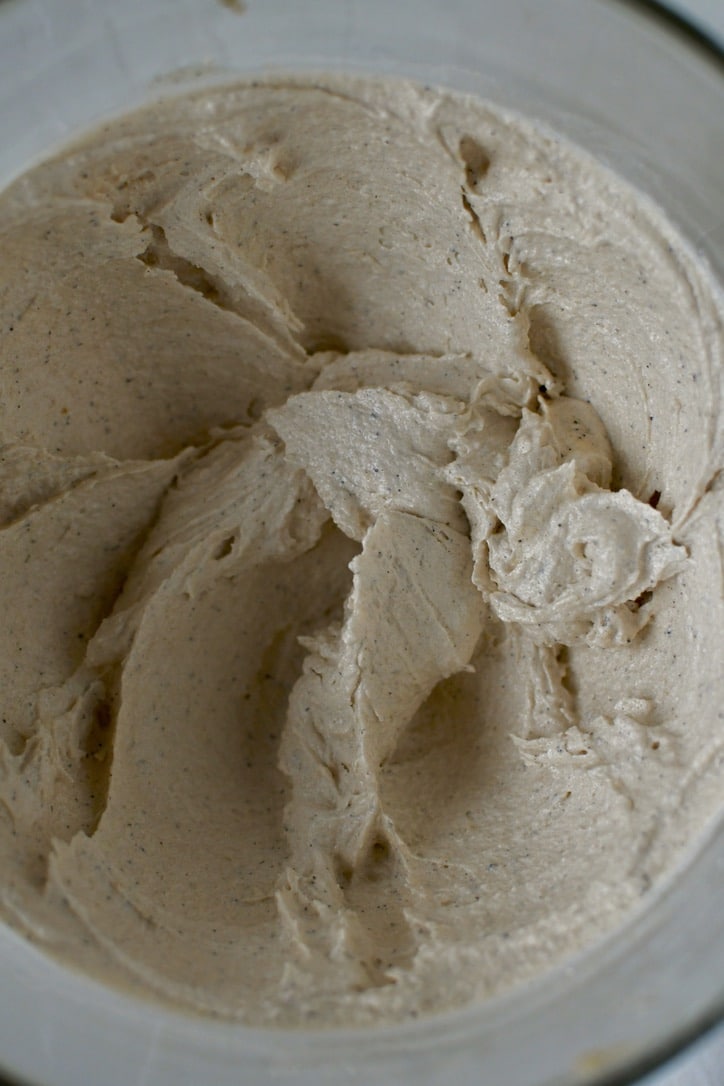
650, 102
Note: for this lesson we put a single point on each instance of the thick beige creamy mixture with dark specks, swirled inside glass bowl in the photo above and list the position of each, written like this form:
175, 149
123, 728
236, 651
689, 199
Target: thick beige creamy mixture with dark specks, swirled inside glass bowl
361, 552
